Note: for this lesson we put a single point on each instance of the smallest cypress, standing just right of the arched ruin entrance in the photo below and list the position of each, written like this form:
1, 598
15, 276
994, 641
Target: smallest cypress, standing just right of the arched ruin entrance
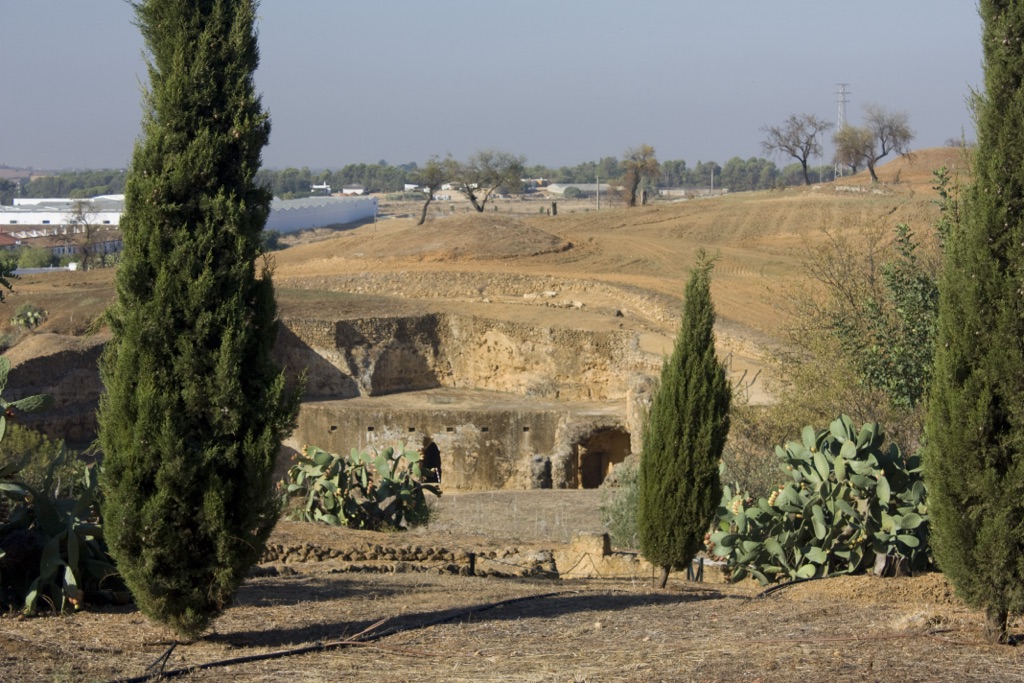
684, 437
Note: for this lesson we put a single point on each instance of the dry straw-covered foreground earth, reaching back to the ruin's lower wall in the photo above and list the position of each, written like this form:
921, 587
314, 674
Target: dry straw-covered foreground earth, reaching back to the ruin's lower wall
420, 622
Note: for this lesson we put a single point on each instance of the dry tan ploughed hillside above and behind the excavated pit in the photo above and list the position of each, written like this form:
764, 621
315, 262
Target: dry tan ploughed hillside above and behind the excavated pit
615, 270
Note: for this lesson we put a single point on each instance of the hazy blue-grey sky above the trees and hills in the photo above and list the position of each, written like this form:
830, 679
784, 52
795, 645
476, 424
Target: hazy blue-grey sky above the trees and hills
560, 81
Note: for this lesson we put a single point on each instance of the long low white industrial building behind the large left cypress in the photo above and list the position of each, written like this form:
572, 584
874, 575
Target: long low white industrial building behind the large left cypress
48, 218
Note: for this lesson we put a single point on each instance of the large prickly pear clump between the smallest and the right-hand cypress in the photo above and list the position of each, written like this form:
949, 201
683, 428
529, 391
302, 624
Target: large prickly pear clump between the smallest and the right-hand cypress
851, 505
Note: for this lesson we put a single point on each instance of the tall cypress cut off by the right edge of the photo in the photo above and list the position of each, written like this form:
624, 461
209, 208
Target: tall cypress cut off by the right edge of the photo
974, 456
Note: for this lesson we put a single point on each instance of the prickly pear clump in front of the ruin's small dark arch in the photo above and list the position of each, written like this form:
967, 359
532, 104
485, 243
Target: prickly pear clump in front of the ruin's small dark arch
366, 490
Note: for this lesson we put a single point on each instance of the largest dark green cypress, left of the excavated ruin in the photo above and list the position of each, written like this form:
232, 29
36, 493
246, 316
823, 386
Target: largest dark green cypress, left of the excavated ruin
195, 409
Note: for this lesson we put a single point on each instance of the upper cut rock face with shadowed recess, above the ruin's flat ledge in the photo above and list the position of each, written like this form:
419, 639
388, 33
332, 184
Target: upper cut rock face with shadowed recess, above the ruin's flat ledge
373, 357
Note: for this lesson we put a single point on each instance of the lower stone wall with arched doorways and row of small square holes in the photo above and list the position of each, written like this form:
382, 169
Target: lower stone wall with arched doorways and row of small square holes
487, 441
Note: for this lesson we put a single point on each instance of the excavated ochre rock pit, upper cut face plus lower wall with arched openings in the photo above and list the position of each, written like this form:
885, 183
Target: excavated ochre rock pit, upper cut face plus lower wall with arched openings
508, 405
